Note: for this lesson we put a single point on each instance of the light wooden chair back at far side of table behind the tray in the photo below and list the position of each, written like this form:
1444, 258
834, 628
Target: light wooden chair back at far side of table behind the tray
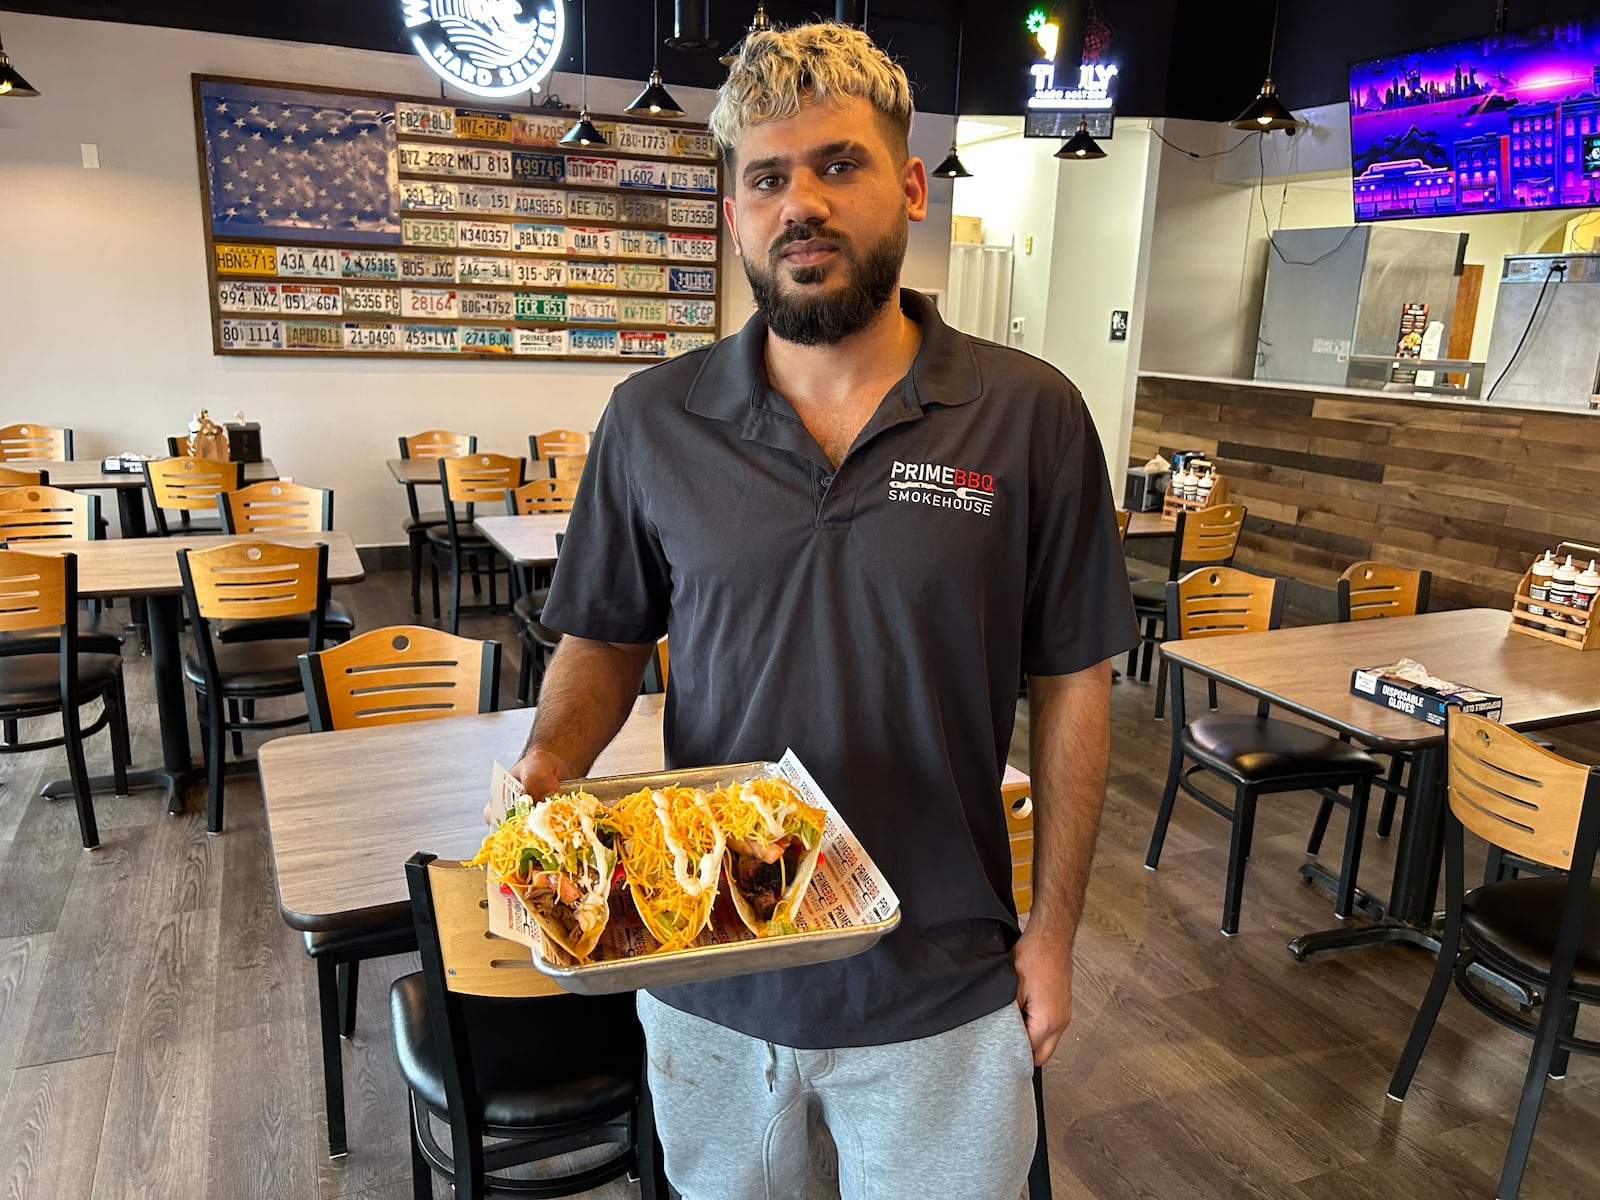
399, 674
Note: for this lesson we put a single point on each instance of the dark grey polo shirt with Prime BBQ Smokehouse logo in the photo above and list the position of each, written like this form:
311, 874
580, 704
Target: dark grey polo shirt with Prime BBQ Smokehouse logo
874, 618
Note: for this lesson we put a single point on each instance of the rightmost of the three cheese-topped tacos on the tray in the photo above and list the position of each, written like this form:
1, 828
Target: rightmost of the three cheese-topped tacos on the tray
775, 839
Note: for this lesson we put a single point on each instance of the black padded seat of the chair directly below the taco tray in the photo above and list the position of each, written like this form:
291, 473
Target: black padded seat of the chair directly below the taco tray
577, 1057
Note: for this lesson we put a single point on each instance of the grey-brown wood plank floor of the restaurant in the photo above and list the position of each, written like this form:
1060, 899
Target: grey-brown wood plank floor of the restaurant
158, 1018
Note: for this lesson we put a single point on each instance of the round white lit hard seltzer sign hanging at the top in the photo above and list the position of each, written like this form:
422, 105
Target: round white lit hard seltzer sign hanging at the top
487, 47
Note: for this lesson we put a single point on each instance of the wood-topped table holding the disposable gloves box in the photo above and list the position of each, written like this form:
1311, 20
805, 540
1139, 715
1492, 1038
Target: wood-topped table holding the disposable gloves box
1308, 671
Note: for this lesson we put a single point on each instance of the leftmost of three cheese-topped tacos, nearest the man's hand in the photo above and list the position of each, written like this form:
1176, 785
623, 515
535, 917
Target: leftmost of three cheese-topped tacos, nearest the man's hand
559, 858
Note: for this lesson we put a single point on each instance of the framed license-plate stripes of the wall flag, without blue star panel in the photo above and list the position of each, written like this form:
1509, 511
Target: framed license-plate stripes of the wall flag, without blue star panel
538, 164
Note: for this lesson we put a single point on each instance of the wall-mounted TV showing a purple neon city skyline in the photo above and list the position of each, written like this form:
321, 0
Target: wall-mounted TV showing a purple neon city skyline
1492, 126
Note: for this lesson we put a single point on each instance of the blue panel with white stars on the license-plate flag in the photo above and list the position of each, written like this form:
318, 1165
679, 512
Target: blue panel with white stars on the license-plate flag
305, 166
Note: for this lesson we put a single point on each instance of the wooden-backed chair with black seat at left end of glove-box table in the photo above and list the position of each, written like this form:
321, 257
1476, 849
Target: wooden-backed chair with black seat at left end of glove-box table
1257, 756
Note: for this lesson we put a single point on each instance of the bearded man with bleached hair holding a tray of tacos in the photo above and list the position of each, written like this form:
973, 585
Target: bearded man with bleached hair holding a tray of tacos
860, 527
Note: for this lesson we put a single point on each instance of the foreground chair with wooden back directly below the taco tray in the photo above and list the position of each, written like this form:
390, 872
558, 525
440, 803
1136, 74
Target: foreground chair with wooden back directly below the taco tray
454, 1020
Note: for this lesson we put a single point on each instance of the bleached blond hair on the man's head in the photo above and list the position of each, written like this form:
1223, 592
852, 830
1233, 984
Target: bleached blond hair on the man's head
780, 71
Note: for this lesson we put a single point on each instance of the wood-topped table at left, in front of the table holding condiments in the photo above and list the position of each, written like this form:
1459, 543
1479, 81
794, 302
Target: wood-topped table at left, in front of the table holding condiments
146, 569
